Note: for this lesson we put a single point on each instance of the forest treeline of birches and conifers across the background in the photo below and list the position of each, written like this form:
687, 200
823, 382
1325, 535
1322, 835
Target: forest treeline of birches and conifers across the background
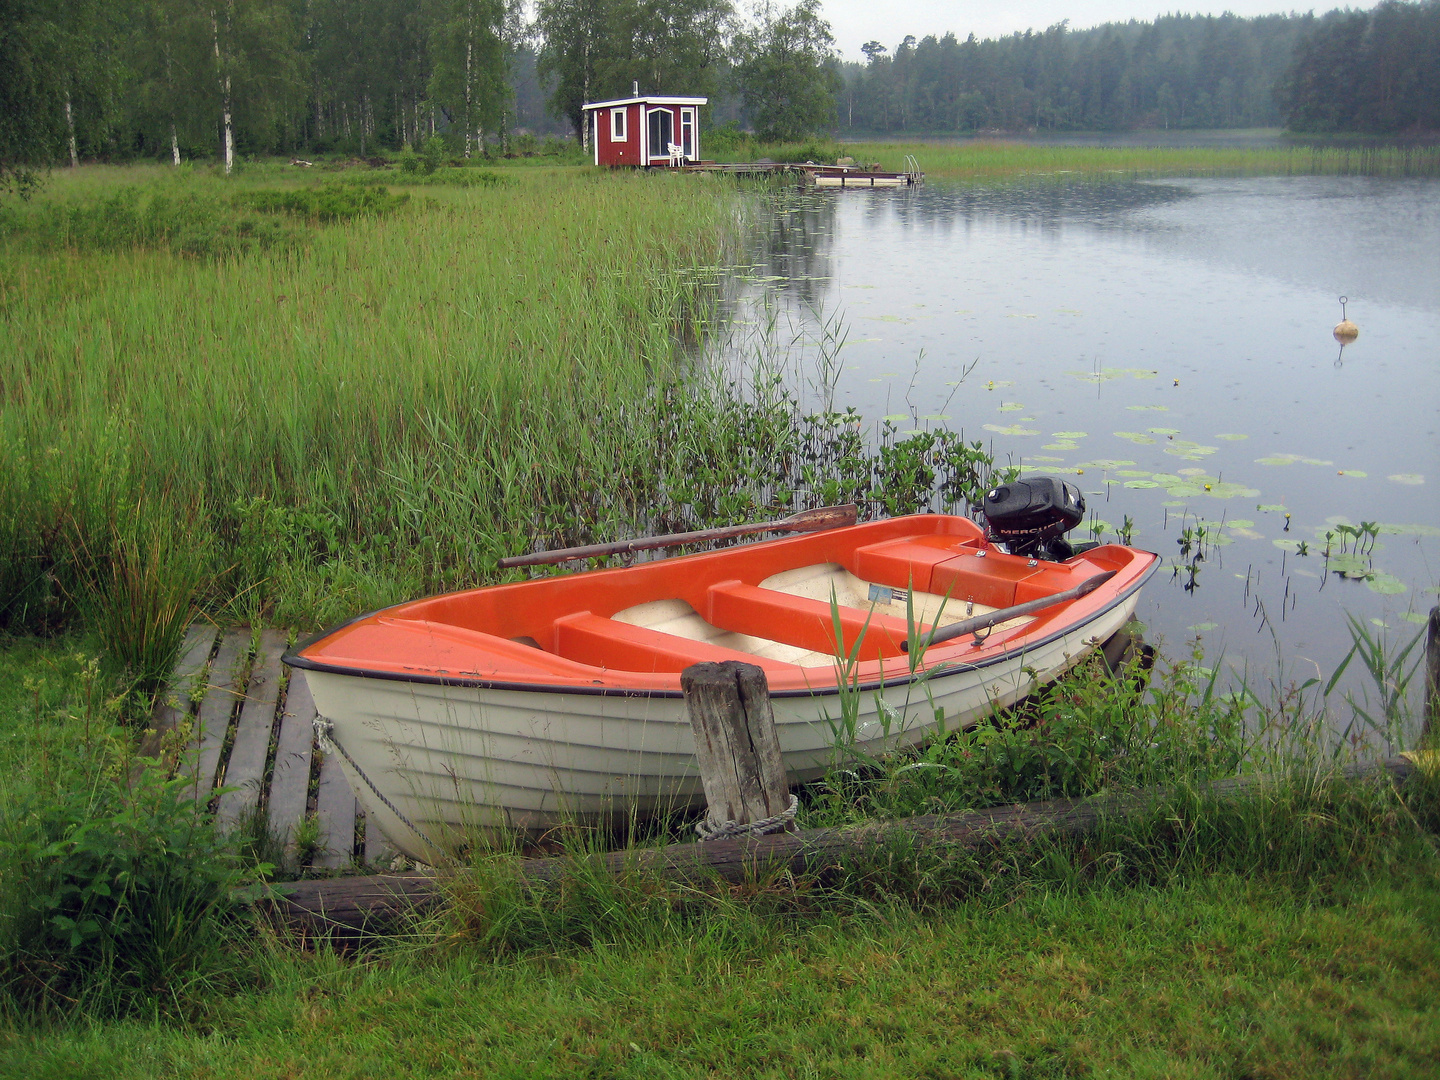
199, 78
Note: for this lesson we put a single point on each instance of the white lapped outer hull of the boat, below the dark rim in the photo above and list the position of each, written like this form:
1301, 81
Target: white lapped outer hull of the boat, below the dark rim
457, 761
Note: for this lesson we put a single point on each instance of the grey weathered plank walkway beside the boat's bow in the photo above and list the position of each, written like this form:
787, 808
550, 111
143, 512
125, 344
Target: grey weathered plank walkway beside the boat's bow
251, 748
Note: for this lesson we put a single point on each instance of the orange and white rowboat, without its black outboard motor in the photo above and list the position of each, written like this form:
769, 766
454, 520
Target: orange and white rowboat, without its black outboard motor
526, 705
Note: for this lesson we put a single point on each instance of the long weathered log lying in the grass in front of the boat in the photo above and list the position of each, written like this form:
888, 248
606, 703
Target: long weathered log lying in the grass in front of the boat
351, 908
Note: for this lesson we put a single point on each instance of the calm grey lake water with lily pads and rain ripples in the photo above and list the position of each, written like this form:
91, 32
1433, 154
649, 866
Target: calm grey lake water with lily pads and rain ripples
1166, 345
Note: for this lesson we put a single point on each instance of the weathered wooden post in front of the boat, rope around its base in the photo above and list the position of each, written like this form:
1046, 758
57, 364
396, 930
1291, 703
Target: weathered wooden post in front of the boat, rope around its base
737, 744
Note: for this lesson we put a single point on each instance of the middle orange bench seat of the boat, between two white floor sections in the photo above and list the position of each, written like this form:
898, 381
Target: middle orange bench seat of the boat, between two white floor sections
798, 621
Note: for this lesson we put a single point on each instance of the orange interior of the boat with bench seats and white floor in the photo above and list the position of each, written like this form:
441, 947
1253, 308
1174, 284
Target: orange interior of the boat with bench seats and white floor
775, 604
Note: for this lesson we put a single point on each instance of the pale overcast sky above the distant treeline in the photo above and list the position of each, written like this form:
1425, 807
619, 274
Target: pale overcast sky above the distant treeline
856, 22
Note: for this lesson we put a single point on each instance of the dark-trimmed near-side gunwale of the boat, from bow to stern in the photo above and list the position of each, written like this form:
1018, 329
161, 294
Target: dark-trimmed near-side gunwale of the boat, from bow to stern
942, 670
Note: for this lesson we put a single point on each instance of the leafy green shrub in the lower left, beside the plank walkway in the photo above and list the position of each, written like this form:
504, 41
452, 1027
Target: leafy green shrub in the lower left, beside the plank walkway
114, 898
